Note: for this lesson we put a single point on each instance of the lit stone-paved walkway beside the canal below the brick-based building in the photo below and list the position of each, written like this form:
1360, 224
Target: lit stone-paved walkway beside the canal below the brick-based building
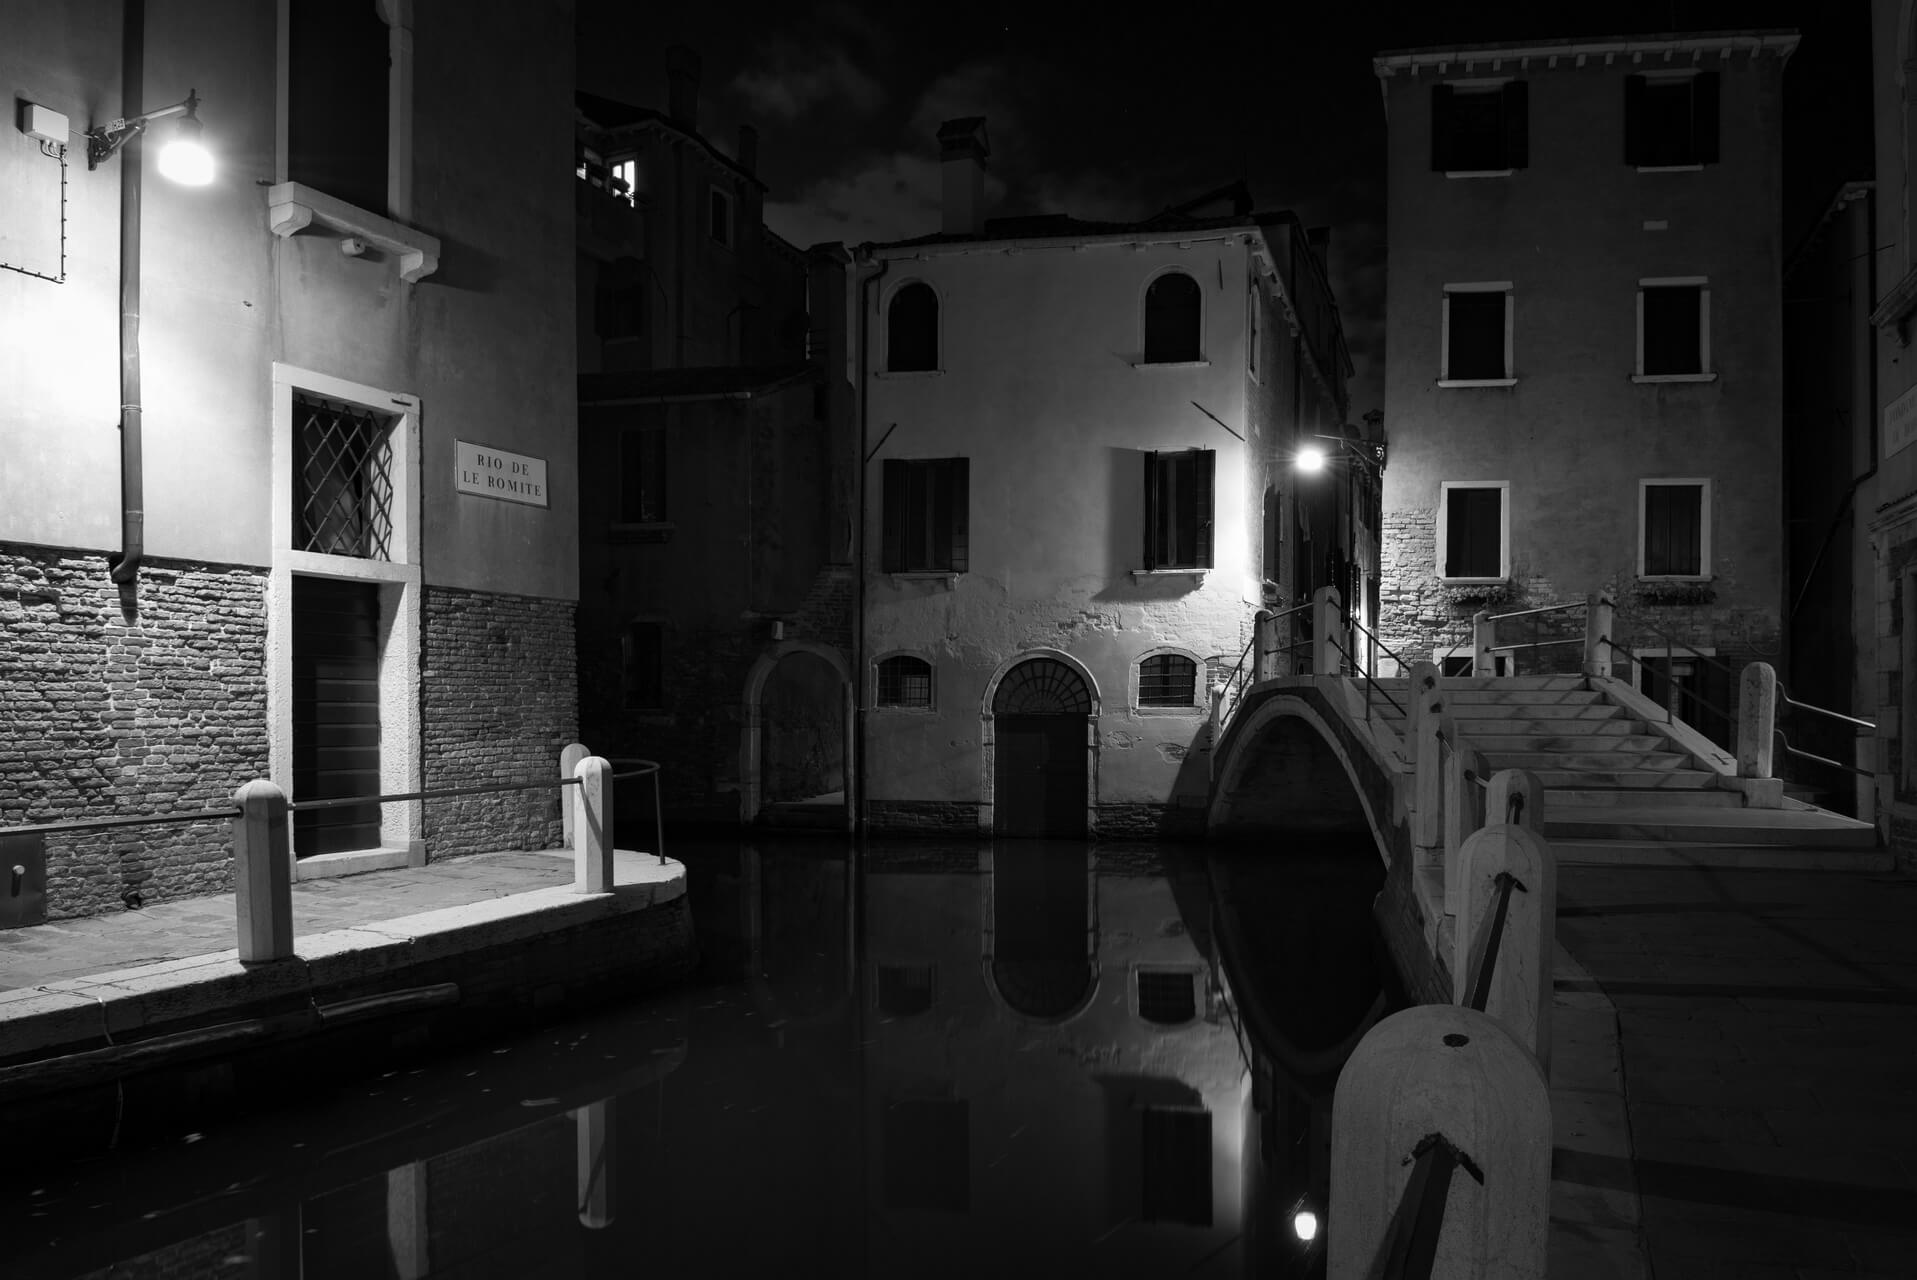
204, 926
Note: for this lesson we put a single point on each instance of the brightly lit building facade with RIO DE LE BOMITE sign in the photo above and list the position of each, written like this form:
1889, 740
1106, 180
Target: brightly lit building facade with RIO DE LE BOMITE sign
317, 520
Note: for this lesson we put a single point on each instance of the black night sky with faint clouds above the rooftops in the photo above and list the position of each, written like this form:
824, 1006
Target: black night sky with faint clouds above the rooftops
1119, 118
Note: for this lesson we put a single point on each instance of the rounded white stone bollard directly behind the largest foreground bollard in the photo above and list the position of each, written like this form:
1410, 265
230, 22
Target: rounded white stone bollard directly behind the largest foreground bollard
1521, 980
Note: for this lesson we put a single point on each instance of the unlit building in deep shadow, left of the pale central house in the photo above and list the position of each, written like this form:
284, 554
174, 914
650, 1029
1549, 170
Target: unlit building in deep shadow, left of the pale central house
716, 524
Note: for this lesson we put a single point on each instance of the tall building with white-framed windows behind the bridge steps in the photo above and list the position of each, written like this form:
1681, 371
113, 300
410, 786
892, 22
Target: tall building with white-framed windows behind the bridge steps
1584, 336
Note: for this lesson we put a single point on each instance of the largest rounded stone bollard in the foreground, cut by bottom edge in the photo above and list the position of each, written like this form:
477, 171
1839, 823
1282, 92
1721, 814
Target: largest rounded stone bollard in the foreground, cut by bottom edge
1452, 1072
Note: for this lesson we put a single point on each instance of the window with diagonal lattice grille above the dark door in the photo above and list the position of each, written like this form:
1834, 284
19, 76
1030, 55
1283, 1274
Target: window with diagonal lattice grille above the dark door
342, 480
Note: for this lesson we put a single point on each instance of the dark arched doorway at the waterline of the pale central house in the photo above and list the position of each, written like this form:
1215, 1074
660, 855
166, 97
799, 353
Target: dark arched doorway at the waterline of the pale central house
1042, 750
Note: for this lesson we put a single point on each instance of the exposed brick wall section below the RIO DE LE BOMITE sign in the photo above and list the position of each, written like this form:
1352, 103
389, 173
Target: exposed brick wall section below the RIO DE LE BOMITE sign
497, 704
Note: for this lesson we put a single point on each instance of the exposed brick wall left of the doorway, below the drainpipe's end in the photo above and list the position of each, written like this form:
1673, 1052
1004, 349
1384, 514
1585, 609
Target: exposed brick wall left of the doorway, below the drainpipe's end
114, 712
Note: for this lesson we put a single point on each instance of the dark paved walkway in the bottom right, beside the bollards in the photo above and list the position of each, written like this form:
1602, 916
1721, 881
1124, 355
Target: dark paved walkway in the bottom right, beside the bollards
1736, 1074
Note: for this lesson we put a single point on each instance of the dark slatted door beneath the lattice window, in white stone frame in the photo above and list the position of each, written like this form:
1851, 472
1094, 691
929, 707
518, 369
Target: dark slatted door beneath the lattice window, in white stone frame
336, 714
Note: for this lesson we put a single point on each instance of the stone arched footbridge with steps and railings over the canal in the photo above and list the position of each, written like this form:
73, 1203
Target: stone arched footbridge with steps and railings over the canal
1408, 762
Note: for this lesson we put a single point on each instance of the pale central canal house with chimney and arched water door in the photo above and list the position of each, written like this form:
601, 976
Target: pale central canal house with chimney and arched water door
1076, 495
